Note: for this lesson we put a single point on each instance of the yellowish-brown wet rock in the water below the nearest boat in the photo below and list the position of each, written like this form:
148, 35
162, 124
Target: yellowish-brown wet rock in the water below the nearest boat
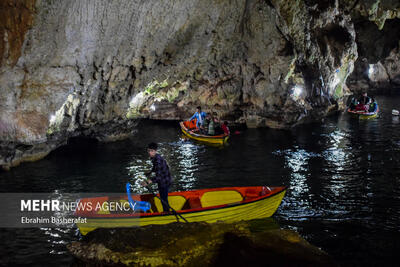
197, 244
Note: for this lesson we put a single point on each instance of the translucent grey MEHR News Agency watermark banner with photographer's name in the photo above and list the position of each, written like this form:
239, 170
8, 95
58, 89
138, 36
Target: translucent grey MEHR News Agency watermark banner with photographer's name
61, 209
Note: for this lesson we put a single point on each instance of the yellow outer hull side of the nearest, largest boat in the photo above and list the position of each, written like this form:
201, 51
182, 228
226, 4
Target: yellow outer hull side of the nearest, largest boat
262, 207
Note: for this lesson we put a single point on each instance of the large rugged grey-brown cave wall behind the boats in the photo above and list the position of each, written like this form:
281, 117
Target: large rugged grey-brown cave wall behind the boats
94, 68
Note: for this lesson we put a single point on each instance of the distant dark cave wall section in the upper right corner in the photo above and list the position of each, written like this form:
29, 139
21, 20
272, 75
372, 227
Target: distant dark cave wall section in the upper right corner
377, 25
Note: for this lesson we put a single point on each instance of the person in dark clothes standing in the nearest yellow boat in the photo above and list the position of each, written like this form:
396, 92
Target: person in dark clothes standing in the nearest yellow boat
162, 174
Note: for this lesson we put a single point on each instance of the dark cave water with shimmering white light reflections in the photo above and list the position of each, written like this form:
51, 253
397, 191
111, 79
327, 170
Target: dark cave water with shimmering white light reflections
343, 177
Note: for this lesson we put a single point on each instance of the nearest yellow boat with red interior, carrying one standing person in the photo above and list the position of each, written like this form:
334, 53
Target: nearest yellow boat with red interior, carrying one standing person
228, 204
